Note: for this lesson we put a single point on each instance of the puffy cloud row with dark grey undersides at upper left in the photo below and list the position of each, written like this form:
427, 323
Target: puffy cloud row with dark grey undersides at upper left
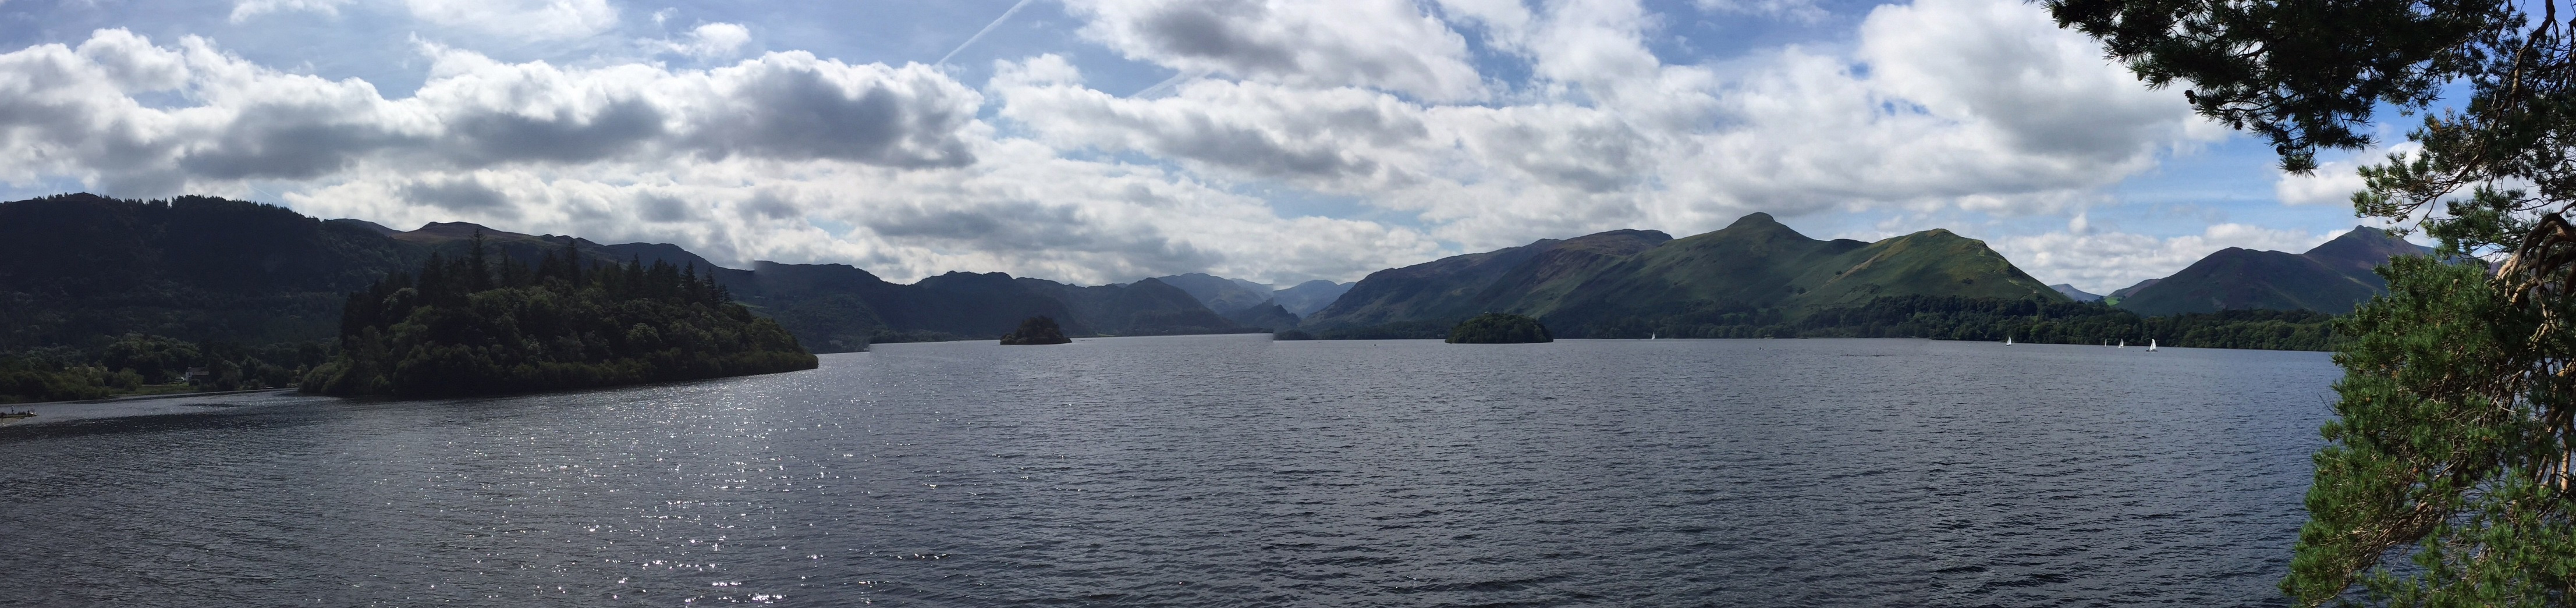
76, 115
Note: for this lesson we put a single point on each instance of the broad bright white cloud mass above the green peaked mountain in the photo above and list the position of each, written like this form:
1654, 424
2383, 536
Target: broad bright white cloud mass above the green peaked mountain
1944, 104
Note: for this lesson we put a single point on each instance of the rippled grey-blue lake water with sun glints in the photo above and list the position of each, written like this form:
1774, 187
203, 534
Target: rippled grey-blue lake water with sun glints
1217, 473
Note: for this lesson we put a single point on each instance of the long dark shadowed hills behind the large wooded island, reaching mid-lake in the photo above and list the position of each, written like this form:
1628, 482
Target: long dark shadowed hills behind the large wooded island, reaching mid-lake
86, 269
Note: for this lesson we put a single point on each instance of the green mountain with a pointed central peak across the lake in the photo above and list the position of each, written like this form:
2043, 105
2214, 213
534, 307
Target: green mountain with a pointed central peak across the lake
1616, 285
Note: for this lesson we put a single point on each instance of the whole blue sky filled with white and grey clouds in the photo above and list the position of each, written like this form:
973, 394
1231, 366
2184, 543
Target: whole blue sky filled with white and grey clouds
1109, 140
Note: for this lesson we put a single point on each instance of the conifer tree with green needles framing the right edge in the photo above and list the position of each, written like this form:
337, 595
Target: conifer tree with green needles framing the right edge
2454, 432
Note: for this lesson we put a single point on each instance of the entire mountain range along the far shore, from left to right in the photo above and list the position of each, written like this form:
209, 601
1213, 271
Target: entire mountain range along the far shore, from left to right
76, 269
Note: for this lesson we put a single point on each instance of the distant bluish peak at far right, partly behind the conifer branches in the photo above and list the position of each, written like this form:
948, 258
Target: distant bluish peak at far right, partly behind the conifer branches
2330, 280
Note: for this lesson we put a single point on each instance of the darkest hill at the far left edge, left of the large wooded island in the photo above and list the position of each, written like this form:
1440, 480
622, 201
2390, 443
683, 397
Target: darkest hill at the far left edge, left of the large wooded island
81, 269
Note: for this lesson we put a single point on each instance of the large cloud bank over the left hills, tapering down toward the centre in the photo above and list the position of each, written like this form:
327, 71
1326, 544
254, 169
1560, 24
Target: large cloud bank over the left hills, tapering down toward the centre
774, 158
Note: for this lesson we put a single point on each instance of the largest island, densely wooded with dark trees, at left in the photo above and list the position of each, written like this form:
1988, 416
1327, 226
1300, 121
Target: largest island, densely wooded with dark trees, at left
470, 326
